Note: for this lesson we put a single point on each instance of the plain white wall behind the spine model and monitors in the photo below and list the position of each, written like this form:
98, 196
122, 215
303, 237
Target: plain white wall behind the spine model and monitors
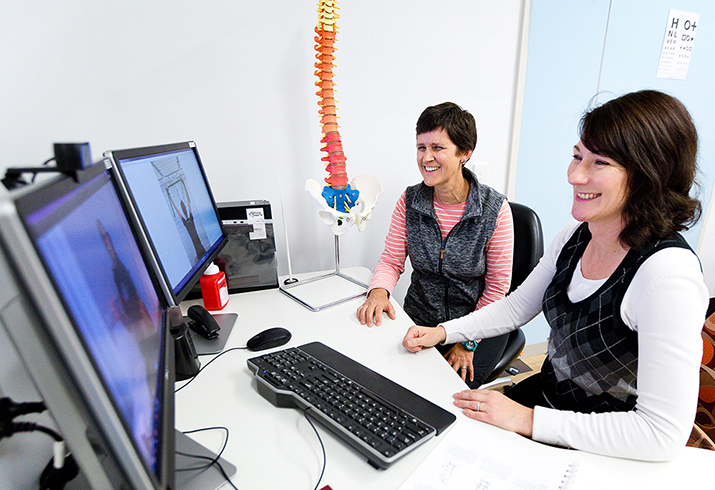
237, 77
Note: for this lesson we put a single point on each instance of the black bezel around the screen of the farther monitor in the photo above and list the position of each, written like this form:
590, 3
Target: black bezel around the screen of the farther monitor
173, 296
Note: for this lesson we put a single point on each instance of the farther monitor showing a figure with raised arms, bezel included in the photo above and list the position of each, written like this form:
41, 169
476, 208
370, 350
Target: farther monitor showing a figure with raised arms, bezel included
172, 201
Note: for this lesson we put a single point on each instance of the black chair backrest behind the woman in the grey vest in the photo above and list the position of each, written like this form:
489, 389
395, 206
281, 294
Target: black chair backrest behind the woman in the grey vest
528, 242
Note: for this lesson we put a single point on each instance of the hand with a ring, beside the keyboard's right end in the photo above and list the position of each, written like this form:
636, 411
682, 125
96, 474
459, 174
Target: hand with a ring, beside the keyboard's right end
494, 408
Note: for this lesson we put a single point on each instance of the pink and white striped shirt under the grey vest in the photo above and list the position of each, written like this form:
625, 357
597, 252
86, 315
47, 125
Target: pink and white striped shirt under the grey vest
499, 249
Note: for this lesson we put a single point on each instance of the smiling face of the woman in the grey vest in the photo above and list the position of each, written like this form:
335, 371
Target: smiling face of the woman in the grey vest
439, 160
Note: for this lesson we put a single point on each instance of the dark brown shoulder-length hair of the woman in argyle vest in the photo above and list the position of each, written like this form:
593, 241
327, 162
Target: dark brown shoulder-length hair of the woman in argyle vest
653, 136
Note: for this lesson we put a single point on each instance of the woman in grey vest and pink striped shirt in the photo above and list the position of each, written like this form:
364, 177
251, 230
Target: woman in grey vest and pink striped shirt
459, 236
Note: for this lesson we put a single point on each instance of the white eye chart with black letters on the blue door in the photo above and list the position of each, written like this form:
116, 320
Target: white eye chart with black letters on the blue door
678, 44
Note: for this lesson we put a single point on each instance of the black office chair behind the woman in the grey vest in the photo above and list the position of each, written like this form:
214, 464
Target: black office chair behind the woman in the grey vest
528, 249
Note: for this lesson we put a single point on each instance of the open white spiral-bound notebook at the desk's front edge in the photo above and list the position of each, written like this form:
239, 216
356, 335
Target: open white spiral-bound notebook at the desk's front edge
468, 456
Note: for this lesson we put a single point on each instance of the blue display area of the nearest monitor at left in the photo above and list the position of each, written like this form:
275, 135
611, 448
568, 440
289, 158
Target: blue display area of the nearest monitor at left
86, 243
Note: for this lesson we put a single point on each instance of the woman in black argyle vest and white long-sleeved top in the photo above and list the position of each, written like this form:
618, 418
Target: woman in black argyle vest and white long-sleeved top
621, 289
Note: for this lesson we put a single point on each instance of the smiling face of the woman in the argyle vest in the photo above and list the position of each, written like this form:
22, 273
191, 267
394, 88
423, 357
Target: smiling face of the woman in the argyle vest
600, 188
